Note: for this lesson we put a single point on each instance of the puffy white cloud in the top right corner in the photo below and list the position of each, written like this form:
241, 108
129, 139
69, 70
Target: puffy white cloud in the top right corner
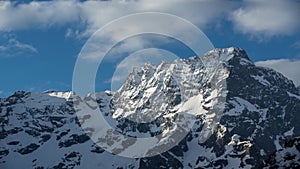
262, 17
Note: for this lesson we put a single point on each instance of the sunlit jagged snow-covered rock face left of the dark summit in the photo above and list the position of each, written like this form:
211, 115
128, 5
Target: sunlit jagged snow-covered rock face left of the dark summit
159, 93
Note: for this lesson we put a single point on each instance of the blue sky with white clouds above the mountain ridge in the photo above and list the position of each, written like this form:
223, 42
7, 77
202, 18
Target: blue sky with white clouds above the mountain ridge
41, 41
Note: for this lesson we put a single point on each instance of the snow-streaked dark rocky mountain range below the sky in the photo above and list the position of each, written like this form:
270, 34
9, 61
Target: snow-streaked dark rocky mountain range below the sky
257, 125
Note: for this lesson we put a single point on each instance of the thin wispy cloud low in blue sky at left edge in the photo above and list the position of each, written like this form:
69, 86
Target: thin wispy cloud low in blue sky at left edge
10, 46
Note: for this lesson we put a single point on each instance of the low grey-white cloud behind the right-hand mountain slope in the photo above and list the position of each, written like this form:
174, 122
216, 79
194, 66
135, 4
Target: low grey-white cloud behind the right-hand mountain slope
289, 68
